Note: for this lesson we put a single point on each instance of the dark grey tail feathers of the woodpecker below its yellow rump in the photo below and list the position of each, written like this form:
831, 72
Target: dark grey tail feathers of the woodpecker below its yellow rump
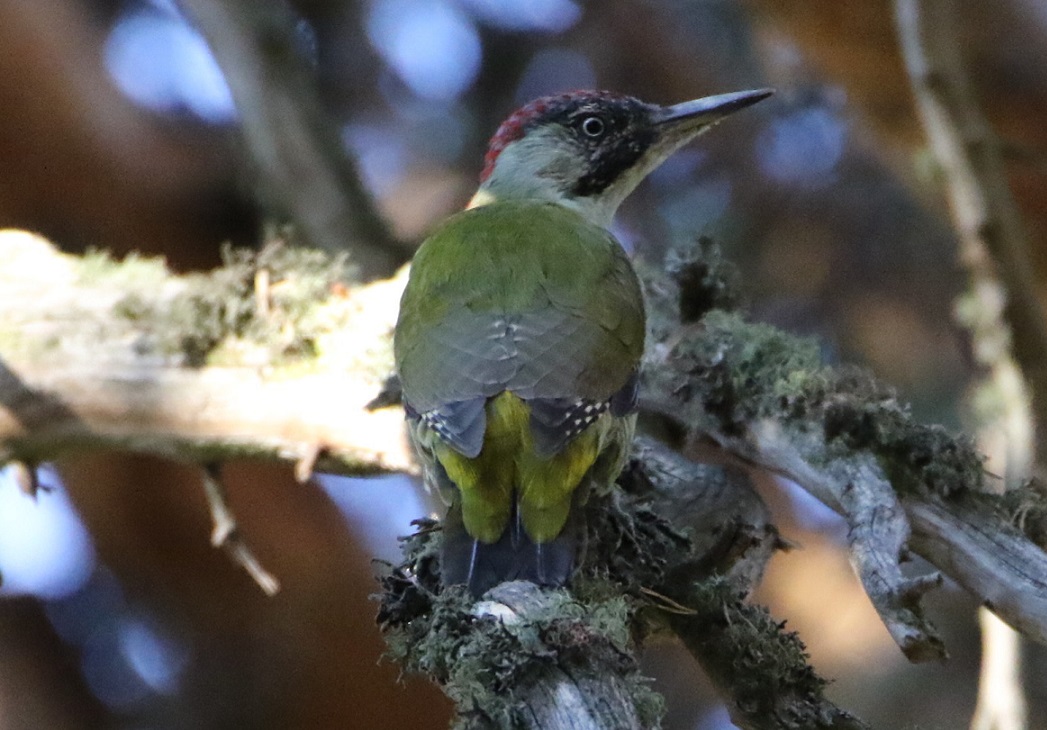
482, 566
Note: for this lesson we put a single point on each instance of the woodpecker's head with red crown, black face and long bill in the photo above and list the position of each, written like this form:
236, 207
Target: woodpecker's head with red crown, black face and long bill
589, 150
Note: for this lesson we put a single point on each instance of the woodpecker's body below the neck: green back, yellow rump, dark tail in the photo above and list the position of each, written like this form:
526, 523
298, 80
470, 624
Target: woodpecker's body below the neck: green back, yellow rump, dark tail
521, 328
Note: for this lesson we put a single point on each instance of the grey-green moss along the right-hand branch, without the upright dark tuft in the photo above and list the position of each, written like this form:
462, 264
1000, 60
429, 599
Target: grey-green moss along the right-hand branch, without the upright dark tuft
733, 372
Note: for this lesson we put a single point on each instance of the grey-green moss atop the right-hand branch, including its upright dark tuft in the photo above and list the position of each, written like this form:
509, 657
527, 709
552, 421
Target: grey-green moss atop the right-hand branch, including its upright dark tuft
726, 372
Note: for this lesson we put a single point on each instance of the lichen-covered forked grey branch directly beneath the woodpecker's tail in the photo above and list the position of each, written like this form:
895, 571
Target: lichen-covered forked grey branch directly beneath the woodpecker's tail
643, 574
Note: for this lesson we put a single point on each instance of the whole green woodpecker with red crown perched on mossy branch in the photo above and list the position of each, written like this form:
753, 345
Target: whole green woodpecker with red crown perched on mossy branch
522, 330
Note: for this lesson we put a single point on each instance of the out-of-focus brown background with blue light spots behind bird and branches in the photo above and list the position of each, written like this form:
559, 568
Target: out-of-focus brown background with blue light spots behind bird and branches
118, 131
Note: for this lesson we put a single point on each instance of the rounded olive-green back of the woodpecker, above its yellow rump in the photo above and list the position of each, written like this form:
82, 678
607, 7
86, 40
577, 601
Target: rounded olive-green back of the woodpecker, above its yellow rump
519, 296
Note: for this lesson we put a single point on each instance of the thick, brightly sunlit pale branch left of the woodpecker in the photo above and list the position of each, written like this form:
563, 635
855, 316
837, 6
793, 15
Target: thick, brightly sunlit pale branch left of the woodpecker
272, 357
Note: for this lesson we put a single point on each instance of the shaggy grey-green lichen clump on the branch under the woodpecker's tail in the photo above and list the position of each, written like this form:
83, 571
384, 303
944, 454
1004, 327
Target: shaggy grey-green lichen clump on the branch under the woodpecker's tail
486, 665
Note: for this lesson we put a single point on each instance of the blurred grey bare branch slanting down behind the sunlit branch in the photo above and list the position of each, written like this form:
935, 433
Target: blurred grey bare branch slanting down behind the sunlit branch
301, 166
